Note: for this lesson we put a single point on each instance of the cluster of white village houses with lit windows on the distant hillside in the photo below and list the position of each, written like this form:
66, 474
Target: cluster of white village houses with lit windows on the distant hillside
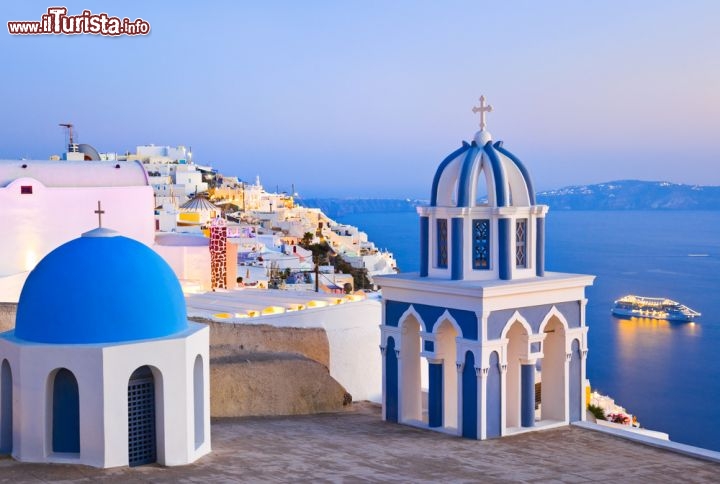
279, 242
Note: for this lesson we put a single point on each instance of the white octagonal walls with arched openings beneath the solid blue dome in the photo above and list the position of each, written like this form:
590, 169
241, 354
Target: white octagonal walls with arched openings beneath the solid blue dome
102, 374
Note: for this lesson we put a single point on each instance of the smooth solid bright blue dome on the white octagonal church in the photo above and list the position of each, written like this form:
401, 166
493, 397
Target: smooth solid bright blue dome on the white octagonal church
100, 288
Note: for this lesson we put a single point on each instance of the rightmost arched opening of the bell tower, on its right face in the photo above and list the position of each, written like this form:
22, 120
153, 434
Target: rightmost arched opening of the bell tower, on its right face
553, 387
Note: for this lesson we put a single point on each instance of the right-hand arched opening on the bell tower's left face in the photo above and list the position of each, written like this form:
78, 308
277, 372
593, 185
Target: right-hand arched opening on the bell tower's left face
446, 341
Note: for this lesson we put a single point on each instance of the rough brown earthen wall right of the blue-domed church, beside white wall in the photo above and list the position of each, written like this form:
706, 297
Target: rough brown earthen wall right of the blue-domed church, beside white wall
258, 369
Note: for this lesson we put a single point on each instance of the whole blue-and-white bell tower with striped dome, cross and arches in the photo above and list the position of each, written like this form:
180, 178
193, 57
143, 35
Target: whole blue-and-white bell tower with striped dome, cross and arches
483, 342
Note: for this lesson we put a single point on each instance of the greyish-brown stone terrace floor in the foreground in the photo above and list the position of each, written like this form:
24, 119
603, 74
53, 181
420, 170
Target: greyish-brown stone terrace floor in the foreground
357, 446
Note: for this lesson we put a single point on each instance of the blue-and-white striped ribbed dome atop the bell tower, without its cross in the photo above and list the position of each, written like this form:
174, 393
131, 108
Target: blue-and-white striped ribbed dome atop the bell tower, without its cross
456, 179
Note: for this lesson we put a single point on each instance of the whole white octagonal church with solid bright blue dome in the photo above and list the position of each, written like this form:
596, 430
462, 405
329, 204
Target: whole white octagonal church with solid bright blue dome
103, 367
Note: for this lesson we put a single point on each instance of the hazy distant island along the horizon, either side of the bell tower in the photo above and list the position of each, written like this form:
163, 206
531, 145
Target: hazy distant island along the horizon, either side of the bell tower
614, 195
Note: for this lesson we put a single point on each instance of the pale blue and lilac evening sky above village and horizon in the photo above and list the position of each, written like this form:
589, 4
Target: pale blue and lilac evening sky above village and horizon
365, 98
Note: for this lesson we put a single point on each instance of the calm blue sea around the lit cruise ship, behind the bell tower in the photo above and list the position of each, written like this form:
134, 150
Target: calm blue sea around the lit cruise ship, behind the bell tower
668, 374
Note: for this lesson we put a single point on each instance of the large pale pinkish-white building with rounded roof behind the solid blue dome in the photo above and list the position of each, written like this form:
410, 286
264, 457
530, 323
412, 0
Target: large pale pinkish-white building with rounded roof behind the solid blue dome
47, 203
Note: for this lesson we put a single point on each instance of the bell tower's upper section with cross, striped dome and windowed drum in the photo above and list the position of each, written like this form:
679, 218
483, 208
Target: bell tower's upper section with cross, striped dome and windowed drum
483, 221
